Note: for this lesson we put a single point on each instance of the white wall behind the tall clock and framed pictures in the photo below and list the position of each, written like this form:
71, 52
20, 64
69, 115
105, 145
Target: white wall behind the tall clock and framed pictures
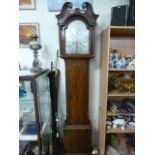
50, 43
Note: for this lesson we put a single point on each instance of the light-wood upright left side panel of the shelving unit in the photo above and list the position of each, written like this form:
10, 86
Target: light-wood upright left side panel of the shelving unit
103, 90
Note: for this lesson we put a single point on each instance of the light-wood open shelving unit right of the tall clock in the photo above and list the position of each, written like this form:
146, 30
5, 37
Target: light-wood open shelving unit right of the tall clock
113, 37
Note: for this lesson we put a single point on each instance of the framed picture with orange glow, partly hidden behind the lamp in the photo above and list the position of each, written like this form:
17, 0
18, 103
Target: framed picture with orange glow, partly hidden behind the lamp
25, 31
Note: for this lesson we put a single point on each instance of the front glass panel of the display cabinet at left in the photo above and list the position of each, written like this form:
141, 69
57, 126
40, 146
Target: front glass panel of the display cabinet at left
27, 122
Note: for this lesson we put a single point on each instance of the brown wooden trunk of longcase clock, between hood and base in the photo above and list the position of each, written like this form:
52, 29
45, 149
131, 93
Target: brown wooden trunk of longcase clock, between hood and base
77, 92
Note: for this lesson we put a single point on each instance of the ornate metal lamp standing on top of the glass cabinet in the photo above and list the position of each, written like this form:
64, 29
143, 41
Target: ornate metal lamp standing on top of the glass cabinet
35, 46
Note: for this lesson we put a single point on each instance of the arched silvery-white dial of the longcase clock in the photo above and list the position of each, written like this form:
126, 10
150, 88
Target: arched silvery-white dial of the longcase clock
77, 38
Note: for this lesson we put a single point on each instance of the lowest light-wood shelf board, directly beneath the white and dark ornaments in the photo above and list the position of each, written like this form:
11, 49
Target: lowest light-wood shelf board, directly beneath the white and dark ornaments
119, 130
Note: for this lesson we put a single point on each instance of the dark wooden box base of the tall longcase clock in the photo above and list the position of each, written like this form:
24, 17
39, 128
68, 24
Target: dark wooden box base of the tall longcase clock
77, 139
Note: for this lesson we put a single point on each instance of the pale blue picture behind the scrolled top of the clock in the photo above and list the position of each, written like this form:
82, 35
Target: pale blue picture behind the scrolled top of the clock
56, 5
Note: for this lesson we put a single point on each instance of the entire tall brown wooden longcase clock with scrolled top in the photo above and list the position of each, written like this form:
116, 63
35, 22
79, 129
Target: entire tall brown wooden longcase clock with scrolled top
77, 47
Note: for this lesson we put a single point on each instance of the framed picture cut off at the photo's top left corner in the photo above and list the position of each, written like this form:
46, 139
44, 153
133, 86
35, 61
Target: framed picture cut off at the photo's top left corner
27, 4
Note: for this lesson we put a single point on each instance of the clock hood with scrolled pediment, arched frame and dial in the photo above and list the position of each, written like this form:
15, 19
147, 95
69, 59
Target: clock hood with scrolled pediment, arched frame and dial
77, 42
